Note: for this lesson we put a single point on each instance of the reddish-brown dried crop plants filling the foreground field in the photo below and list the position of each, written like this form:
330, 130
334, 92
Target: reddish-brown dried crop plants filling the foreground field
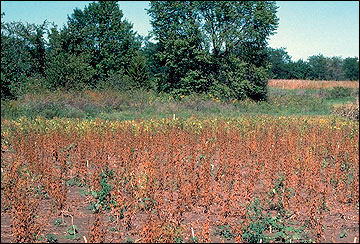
177, 182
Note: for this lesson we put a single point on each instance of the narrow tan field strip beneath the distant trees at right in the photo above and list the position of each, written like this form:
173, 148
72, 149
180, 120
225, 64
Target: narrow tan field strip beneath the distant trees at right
311, 84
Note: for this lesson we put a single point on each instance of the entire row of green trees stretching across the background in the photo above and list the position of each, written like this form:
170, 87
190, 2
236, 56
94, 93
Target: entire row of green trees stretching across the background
217, 48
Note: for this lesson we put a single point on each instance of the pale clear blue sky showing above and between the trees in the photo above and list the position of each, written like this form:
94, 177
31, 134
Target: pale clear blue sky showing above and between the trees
306, 28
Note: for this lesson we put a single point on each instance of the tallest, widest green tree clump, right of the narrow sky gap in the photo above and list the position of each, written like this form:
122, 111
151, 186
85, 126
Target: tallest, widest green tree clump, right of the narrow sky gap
204, 45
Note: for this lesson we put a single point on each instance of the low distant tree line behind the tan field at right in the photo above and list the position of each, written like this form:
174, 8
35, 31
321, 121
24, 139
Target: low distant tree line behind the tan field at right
316, 67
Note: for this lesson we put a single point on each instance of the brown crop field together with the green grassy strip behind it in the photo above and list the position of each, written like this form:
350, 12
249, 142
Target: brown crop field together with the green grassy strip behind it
286, 170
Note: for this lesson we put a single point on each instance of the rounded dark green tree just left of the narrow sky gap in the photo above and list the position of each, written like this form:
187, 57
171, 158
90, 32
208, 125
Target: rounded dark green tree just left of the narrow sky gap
100, 33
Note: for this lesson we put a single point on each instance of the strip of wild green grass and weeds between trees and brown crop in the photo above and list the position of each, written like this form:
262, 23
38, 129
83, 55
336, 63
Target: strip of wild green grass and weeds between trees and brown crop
136, 104
